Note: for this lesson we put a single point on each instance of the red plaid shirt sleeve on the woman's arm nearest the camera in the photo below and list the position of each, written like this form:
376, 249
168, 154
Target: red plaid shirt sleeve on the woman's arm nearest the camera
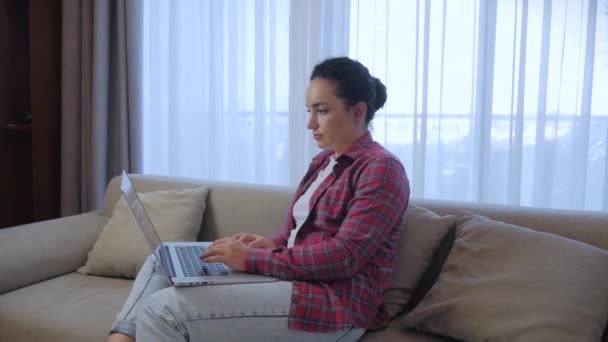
380, 199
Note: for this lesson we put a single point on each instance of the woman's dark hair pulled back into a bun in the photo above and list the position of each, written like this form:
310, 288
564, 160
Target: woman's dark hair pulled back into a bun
353, 83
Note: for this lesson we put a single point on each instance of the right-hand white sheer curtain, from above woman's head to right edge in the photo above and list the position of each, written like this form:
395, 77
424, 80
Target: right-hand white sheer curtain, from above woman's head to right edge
501, 101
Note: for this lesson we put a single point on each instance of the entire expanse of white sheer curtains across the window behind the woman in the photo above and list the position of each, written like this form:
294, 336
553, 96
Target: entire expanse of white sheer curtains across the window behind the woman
500, 101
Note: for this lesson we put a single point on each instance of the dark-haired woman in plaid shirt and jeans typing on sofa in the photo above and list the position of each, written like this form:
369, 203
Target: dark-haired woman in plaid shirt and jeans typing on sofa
334, 258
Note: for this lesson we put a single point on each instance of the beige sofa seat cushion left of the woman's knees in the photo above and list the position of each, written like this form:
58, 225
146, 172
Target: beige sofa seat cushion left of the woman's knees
72, 307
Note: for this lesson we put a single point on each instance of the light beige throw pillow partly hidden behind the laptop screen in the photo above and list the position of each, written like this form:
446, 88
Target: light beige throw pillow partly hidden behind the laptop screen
121, 249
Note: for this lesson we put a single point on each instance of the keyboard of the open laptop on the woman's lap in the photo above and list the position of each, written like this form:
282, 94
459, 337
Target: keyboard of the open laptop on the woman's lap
193, 266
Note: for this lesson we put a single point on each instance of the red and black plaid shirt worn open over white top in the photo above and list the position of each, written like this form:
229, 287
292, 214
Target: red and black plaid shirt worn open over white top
344, 254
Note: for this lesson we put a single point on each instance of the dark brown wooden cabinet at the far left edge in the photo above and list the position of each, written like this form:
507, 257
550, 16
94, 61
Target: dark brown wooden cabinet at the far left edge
30, 110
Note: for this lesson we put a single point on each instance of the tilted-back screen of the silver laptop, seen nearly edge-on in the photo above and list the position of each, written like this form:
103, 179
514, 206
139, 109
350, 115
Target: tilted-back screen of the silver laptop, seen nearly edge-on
140, 214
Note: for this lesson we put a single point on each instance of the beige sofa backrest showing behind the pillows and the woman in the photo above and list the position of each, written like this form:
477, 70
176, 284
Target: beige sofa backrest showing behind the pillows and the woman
235, 207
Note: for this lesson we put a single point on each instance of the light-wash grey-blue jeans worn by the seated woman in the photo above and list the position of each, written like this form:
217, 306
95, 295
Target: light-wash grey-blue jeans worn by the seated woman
157, 311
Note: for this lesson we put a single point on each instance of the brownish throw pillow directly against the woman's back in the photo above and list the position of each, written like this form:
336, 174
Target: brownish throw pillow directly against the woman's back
422, 232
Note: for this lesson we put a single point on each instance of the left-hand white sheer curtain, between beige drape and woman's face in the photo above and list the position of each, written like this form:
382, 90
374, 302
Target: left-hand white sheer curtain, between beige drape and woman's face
224, 85
